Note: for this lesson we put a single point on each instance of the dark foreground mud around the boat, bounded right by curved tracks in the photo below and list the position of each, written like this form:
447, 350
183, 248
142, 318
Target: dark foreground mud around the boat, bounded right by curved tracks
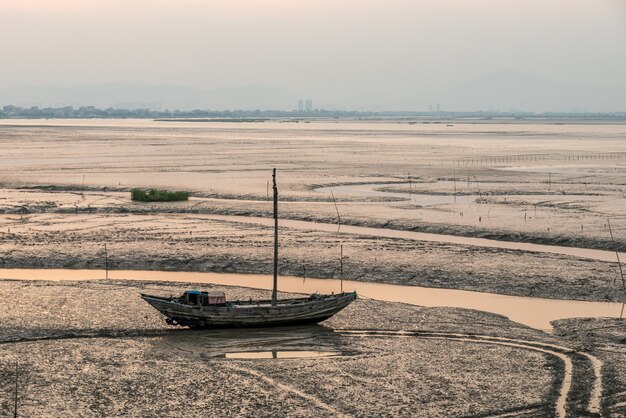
94, 348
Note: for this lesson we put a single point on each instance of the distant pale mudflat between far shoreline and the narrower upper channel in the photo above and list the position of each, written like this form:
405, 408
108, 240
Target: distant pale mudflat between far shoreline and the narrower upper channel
537, 182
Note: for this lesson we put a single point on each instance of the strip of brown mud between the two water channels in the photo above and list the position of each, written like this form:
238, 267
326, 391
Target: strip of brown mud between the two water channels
189, 242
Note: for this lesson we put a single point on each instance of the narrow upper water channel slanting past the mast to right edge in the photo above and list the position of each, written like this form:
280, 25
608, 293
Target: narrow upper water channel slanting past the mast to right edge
600, 255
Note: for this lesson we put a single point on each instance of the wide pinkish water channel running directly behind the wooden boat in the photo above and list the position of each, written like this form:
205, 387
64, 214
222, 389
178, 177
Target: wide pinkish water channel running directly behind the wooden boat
534, 312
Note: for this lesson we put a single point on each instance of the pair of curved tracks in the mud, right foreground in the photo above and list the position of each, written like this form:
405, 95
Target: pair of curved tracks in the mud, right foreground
563, 353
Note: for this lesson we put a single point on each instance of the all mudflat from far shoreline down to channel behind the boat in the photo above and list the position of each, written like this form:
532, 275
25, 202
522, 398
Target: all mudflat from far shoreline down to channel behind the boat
66, 194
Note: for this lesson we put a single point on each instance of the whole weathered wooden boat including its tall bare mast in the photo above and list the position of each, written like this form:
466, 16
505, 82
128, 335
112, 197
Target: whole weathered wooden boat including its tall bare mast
211, 310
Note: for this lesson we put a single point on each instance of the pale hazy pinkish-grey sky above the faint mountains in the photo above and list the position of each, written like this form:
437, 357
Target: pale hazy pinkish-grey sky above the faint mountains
333, 51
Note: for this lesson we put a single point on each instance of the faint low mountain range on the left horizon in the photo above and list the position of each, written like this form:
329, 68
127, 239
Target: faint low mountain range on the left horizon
154, 97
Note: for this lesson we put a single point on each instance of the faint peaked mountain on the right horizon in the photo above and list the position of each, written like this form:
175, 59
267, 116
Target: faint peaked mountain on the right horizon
509, 90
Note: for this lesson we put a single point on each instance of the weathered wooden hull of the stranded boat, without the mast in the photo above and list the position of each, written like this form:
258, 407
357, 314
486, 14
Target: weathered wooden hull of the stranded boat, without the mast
245, 314
